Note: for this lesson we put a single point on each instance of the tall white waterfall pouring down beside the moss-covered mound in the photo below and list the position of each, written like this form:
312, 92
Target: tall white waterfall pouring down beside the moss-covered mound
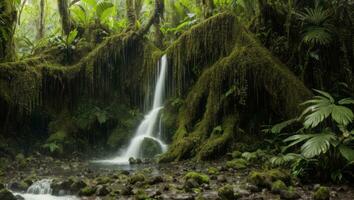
147, 126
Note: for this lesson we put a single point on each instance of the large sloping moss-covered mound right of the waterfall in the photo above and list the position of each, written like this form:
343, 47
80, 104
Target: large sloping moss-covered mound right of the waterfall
209, 120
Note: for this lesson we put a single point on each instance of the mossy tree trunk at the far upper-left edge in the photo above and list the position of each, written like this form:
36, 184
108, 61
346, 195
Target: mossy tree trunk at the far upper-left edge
8, 17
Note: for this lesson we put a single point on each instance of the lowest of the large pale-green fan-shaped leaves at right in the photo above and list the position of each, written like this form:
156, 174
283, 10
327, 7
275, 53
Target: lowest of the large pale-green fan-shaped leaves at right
318, 144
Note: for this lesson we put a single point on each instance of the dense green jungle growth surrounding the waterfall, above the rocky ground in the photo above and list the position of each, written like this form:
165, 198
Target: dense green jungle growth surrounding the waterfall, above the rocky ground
265, 83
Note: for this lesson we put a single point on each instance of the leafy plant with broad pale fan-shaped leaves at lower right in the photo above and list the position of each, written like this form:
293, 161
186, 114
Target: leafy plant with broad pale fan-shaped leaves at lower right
324, 136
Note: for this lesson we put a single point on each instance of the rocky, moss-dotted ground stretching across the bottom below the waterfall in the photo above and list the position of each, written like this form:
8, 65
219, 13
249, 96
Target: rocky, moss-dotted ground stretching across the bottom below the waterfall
183, 180
